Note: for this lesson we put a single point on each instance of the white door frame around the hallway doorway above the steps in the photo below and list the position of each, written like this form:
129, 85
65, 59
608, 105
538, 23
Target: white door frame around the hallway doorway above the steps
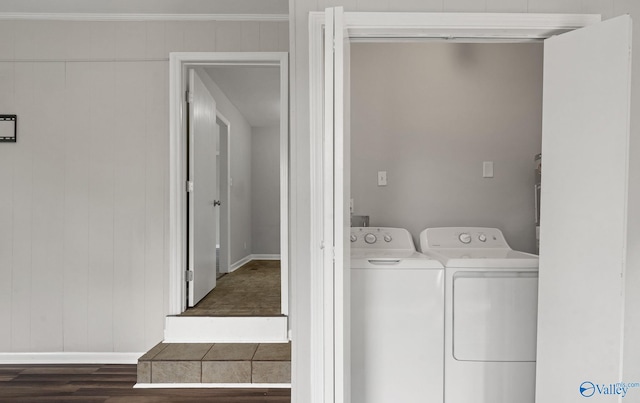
179, 62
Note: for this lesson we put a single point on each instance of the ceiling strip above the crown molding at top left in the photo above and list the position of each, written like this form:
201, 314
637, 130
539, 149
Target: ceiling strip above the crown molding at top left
146, 6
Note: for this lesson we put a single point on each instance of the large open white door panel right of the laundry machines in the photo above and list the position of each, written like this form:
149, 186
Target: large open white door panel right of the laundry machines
585, 148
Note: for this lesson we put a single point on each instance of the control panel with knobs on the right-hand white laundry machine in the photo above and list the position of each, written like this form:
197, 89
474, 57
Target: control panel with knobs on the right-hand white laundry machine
462, 237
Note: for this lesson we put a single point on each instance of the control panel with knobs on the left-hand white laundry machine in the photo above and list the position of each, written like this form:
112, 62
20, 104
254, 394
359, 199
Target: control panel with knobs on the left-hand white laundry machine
381, 238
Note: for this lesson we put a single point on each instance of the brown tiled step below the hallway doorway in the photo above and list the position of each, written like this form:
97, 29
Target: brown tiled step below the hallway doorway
216, 363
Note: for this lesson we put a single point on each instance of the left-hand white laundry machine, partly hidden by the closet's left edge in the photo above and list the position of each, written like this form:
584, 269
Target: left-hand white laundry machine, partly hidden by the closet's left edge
397, 319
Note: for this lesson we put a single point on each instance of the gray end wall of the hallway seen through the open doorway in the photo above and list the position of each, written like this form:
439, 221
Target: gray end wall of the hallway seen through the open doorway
265, 190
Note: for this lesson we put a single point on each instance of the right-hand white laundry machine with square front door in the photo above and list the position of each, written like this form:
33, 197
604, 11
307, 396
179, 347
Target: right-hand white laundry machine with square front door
491, 307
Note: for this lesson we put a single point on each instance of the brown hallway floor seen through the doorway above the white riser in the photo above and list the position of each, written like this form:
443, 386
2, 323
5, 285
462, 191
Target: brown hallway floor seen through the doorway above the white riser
251, 290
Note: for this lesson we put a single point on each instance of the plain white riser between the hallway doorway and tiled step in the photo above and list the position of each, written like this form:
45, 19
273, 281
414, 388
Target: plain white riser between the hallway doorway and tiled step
225, 329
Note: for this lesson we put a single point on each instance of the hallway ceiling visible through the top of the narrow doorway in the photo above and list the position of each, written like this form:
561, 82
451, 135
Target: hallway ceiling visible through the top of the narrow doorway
254, 90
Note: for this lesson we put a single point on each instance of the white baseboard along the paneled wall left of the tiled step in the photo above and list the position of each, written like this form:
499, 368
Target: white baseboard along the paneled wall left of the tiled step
69, 358
